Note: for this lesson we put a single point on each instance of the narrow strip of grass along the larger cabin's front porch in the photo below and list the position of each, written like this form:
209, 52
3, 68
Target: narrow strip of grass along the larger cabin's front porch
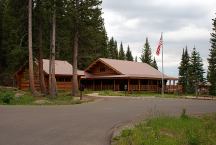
136, 94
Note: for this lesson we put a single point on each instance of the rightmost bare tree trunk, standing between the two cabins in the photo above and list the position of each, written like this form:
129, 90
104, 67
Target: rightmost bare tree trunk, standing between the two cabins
75, 53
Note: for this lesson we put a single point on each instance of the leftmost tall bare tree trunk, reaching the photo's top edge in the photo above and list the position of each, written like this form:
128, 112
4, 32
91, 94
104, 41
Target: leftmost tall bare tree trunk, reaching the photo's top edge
31, 70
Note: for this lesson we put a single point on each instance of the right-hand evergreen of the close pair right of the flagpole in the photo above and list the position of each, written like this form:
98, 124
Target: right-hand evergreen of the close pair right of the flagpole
196, 71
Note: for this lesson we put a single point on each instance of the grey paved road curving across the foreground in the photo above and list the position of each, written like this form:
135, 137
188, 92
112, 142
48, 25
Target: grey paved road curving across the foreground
85, 124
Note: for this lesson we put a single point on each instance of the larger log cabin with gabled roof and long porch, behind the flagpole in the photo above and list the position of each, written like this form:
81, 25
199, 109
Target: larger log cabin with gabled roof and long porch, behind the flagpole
118, 75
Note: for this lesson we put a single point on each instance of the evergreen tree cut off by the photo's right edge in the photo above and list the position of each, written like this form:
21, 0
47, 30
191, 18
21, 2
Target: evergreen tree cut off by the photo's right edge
212, 61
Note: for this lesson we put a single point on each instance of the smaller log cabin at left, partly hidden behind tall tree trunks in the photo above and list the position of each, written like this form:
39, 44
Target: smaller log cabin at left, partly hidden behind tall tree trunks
63, 74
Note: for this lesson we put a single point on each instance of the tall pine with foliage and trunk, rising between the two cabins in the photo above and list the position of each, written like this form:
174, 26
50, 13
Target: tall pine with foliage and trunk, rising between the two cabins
87, 27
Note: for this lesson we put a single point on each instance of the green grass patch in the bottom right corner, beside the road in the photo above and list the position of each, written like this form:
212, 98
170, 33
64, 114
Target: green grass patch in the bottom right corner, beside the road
182, 130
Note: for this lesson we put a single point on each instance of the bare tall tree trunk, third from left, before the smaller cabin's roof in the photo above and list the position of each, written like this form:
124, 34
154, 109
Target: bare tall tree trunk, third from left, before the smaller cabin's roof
52, 80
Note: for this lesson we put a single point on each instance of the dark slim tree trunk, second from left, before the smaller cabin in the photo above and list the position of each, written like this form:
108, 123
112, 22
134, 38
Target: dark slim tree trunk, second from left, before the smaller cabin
40, 60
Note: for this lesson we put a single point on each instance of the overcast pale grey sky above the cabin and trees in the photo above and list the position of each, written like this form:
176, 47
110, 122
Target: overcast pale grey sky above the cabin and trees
183, 22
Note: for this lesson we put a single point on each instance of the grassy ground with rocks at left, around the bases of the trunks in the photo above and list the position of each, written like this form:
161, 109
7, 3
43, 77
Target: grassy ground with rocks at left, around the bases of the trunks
13, 96
